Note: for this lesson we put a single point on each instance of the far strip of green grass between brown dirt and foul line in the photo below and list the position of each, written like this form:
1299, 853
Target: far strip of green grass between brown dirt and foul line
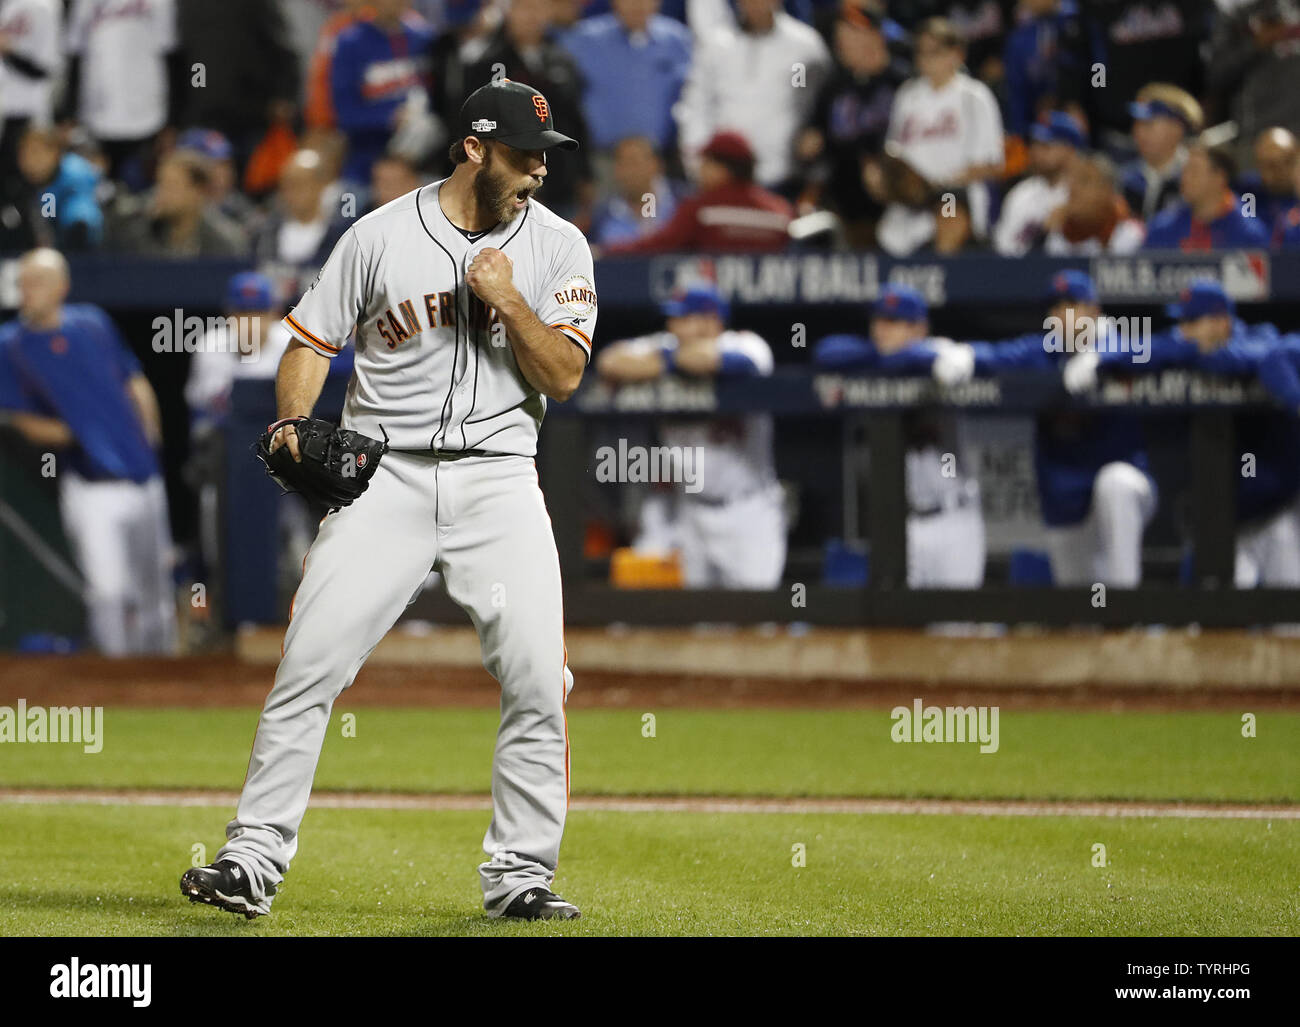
1147, 756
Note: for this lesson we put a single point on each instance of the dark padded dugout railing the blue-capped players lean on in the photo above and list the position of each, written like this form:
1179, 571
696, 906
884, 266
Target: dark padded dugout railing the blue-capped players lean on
566, 466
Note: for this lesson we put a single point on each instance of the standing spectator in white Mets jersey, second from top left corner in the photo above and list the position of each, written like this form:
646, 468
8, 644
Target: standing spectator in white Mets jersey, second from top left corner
124, 80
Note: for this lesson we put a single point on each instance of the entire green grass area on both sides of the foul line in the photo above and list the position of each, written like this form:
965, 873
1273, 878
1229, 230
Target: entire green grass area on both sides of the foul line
114, 870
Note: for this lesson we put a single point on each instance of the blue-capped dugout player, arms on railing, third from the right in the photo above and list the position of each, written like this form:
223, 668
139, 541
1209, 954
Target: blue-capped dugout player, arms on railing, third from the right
946, 525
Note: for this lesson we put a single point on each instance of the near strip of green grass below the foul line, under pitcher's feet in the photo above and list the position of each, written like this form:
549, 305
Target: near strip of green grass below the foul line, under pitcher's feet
112, 872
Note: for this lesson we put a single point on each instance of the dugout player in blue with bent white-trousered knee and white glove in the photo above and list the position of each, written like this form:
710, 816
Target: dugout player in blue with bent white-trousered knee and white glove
1095, 492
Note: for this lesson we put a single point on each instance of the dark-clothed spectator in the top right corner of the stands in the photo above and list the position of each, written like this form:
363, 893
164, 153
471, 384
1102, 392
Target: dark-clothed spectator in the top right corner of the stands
1253, 68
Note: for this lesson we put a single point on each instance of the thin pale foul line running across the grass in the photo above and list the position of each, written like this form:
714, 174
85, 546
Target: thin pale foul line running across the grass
677, 804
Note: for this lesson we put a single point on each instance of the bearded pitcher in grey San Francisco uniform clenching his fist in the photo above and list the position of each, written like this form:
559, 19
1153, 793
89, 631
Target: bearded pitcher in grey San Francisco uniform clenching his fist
469, 305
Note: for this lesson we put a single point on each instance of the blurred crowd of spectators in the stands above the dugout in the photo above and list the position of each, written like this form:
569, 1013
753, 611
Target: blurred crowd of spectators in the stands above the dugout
262, 128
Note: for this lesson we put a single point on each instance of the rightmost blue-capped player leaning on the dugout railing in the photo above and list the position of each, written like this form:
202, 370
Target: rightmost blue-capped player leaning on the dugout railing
1208, 336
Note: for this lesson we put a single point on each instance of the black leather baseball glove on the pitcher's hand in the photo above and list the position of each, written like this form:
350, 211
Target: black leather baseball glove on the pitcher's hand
337, 465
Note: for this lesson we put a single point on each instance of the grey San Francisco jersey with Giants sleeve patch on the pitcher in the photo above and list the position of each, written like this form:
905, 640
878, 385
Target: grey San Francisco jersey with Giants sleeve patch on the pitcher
435, 369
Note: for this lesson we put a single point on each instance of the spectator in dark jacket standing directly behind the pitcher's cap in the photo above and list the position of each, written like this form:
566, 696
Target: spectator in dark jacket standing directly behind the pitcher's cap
522, 50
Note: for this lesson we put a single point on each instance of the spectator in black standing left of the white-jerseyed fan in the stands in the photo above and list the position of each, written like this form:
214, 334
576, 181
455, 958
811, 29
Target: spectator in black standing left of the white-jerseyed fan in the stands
851, 118
